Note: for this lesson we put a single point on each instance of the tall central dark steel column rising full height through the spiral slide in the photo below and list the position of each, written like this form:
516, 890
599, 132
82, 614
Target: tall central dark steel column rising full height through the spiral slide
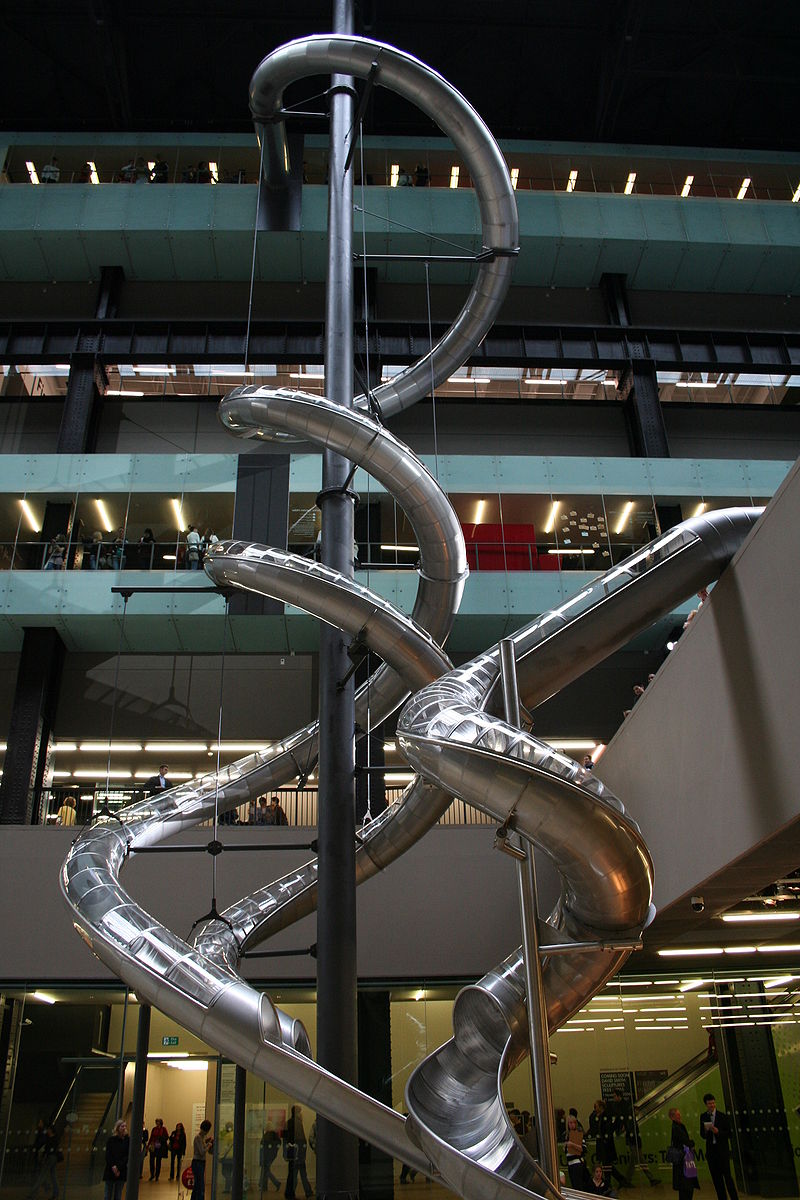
338, 1153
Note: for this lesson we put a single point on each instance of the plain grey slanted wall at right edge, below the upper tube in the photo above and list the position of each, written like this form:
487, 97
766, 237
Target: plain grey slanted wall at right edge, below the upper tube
707, 763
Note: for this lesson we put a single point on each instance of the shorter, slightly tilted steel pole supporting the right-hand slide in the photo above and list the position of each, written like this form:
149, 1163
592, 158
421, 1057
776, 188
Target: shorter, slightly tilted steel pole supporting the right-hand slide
538, 1029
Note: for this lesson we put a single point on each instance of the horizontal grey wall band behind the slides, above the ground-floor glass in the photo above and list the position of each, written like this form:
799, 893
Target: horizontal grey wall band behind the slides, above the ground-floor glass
448, 909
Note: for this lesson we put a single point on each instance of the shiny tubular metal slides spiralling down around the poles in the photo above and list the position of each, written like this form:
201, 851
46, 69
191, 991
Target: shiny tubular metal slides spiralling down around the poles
449, 731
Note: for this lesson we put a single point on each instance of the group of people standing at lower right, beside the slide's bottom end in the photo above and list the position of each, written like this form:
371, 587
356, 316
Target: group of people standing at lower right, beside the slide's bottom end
616, 1117
